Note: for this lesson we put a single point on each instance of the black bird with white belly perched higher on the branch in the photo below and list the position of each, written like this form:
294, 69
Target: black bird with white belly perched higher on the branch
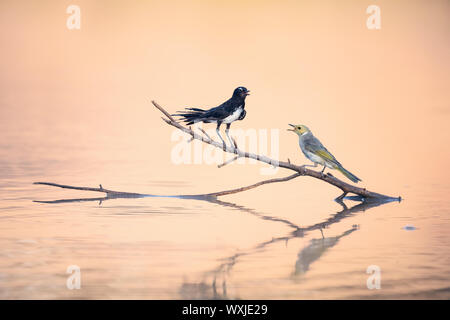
228, 112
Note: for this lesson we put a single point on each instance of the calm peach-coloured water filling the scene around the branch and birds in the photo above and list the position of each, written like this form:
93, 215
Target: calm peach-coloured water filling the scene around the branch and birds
74, 109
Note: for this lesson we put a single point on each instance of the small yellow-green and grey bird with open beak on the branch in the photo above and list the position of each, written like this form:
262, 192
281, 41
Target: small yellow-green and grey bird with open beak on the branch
317, 153
